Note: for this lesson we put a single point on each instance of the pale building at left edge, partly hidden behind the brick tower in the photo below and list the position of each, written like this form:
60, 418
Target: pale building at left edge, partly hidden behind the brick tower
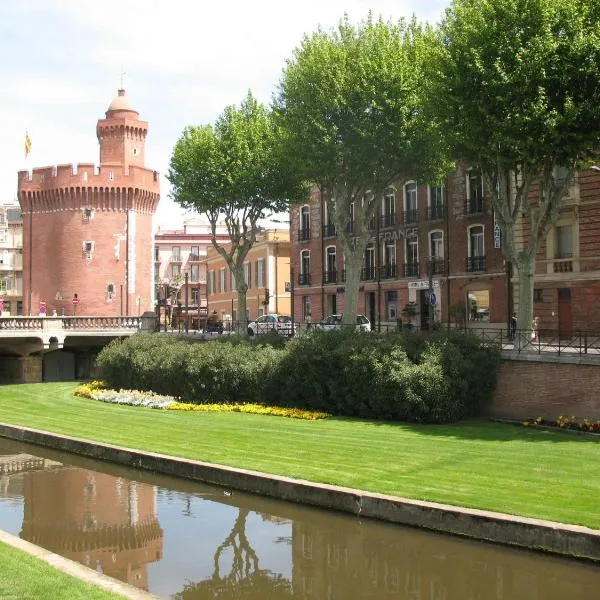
11, 259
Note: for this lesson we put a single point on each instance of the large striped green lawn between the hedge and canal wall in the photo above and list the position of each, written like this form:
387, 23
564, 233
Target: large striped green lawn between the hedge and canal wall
479, 464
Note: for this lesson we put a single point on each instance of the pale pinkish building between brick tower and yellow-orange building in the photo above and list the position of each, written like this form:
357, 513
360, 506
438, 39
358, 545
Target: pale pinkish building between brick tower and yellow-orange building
179, 252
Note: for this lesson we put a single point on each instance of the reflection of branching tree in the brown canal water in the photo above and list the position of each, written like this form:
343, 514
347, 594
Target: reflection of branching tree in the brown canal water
245, 579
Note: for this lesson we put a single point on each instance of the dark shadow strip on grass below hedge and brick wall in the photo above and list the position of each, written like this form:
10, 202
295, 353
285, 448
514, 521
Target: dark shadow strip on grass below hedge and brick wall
482, 429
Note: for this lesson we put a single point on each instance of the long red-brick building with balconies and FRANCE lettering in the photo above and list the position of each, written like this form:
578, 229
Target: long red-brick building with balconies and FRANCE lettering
448, 235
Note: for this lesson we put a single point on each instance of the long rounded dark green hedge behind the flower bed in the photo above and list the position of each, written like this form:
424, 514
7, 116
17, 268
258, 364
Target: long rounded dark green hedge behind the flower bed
434, 379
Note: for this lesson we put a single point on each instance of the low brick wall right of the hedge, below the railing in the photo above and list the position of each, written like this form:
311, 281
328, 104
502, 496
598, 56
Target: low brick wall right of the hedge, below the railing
528, 389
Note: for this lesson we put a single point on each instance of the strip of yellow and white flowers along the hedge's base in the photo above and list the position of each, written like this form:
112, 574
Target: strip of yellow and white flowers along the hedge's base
96, 391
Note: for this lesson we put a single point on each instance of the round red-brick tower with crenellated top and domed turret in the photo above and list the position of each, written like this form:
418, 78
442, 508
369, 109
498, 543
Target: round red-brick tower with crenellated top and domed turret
87, 230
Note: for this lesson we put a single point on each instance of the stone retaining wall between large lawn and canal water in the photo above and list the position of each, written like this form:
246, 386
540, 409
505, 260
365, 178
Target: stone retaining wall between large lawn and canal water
570, 540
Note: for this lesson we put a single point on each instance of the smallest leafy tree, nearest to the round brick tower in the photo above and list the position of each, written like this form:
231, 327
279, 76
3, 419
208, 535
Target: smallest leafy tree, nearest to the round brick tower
234, 173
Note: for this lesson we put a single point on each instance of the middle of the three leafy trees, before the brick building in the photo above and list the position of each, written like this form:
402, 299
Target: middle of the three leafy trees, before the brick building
350, 101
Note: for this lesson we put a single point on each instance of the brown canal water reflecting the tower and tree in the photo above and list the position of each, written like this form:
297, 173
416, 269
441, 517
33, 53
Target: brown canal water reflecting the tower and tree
190, 541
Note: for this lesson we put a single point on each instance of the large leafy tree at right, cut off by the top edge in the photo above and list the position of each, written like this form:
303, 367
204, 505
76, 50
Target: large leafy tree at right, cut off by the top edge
516, 87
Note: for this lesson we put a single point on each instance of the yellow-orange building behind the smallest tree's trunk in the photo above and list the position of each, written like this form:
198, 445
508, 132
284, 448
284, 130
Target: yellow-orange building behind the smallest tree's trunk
267, 273
